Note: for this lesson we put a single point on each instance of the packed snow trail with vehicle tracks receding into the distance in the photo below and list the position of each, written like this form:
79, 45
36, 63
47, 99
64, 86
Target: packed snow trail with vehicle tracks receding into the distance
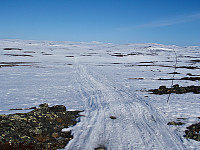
137, 125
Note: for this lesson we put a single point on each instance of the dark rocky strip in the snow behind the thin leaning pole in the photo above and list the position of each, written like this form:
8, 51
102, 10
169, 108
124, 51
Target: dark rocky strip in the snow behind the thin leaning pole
175, 89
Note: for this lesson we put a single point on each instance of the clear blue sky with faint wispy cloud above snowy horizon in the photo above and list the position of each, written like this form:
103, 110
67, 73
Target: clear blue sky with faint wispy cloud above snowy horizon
116, 21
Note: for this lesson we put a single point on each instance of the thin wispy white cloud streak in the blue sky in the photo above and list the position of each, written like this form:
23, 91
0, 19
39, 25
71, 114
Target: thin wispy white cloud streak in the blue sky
167, 22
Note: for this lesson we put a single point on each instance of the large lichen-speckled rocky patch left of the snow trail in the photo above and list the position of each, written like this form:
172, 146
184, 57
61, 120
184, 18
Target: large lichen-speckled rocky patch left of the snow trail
38, 129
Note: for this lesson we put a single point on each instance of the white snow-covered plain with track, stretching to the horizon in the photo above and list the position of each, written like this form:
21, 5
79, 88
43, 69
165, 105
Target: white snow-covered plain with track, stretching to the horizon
104, 80
